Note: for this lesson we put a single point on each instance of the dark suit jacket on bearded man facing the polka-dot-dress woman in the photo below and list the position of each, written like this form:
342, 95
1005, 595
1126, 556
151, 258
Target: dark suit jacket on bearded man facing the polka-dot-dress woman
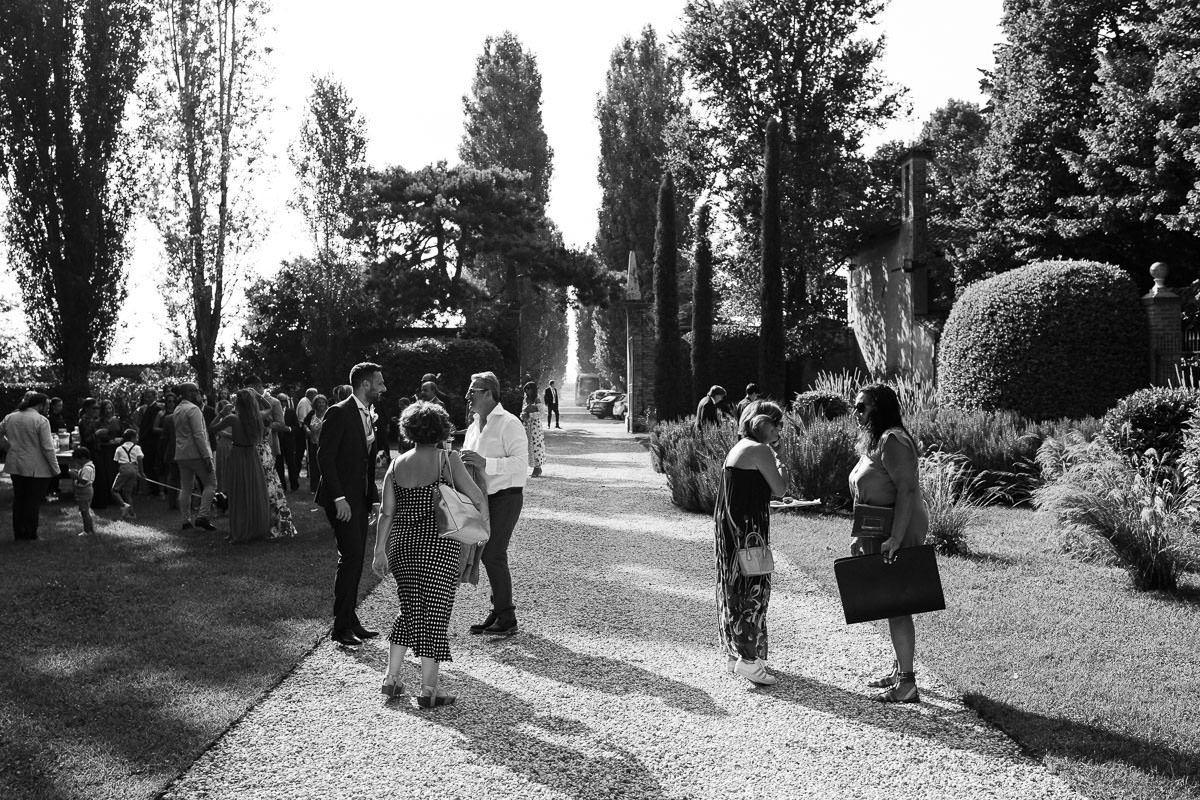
347, 464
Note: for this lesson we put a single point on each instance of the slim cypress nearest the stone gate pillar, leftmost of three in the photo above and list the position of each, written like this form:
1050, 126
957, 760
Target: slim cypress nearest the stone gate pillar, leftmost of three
668, 378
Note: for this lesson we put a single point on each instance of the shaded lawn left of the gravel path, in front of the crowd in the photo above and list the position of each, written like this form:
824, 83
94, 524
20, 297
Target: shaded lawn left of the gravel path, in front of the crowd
125, 655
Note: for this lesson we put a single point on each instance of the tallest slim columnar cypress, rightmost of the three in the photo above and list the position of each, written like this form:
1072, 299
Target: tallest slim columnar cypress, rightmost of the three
772, 364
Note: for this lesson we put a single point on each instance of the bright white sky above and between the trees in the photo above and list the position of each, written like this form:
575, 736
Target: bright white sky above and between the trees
407, 67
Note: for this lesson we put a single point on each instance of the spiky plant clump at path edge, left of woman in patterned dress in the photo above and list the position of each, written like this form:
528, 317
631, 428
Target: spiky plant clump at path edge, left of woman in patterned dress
693, 460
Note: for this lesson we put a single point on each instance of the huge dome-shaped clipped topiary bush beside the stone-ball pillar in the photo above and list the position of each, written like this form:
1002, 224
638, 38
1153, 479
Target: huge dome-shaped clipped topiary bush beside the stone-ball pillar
1049, 340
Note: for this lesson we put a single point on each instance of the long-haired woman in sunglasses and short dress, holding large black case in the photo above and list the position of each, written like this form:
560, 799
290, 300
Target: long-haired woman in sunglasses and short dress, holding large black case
887, 476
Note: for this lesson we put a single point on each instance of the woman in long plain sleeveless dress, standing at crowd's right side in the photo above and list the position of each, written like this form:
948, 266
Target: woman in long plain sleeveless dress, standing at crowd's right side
250, 518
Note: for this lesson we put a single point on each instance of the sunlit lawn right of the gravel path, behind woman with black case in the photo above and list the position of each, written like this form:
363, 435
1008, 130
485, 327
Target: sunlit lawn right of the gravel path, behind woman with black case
1100, 682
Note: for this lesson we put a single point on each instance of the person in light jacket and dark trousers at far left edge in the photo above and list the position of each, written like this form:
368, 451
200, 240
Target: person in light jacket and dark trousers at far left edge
32, 461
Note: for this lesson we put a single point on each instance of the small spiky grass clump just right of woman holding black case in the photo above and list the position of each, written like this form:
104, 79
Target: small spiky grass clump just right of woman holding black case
955, 497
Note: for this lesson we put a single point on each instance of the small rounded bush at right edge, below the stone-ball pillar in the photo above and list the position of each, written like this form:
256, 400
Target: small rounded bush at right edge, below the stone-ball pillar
1151, 418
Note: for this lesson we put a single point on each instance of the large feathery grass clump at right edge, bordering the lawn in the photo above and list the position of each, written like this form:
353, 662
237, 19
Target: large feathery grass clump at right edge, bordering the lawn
1143, 509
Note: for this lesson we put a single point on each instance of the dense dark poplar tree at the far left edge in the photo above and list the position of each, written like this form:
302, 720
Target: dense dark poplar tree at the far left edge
67, 71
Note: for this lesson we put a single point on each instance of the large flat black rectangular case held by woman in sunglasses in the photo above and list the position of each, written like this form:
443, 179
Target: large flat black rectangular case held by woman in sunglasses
873, 590
